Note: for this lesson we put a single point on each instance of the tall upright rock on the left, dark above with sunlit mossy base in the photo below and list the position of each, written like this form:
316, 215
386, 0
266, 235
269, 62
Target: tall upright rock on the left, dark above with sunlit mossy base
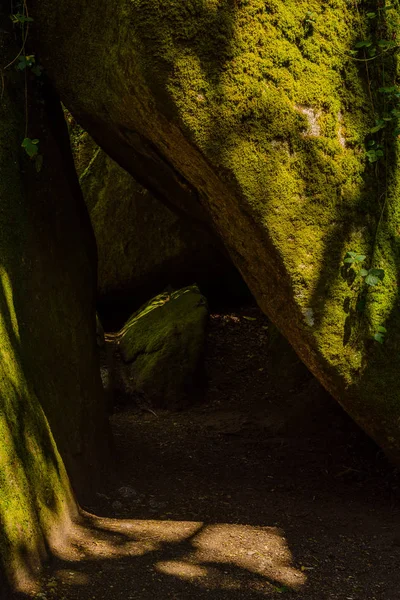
52, 408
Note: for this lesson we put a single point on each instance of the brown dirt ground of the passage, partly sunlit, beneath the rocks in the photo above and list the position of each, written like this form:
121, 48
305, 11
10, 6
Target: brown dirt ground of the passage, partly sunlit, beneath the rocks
265, 489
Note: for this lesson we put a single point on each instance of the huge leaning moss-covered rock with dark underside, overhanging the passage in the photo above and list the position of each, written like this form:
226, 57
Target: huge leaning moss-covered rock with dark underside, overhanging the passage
257, 109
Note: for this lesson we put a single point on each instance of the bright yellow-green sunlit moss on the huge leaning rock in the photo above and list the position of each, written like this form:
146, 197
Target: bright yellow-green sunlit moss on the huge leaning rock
241, 80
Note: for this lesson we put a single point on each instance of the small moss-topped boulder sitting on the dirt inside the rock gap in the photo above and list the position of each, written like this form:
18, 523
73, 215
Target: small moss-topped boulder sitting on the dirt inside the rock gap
160, 351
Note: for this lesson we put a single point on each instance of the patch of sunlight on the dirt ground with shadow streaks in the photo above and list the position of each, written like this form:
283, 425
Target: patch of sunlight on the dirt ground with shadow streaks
215, 556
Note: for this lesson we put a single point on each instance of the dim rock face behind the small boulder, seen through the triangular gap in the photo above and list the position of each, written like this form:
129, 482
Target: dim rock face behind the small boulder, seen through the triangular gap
142, 245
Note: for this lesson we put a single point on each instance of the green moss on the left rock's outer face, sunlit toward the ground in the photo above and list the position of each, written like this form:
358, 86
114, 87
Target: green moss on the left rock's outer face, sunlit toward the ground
36, 501
